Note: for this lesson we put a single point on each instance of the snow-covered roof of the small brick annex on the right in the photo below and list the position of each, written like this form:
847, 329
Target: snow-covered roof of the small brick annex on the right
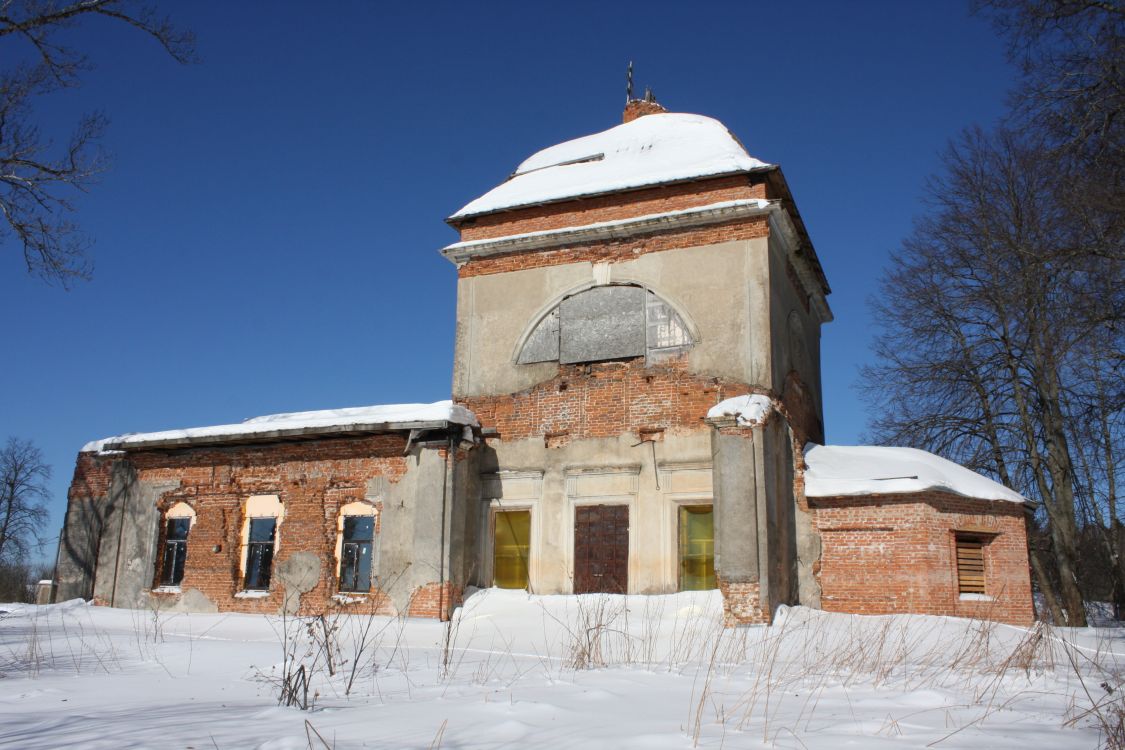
847, 471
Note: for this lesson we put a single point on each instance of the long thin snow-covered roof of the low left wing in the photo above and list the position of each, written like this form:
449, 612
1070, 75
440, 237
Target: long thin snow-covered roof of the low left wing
301, 423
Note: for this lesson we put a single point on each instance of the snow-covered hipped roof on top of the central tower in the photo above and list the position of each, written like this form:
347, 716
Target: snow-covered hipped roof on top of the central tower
651, 150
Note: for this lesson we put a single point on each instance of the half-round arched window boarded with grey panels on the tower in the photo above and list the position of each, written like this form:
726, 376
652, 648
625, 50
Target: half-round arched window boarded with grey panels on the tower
607, 323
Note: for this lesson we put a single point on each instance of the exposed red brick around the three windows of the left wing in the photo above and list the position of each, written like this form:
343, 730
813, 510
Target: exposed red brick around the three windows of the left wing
314, 480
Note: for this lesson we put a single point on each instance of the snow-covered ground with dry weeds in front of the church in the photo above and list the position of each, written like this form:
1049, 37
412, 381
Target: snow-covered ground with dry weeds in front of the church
516, 671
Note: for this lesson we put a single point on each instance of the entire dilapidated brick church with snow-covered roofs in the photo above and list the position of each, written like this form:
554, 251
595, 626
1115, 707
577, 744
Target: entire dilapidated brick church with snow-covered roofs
636, 409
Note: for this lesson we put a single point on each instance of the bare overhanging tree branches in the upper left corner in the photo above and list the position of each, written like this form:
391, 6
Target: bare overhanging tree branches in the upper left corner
38, 179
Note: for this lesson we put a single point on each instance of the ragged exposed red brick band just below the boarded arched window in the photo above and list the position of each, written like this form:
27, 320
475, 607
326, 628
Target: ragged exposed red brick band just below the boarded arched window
606, 400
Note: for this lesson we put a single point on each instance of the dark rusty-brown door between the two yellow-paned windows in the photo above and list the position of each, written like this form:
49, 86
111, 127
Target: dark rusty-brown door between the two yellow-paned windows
601, 549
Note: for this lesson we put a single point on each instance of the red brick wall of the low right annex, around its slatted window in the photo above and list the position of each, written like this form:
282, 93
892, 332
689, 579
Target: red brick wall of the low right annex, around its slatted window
895, 554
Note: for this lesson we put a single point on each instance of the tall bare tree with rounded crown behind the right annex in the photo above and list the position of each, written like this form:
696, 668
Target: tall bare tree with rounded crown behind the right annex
1002, 348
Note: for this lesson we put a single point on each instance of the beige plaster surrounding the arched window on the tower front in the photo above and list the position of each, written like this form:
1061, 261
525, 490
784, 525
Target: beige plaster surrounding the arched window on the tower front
722, 290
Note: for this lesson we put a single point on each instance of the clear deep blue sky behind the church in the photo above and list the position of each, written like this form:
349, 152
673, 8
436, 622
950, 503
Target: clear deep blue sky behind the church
267, 238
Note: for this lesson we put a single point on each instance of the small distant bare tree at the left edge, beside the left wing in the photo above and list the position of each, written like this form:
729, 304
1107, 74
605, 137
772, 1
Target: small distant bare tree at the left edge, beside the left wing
23, 499
